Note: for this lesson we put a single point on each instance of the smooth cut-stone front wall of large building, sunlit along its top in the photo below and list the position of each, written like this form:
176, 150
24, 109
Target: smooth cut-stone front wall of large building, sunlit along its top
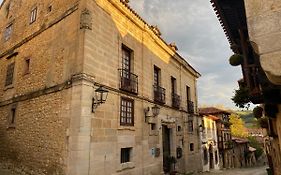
115, 25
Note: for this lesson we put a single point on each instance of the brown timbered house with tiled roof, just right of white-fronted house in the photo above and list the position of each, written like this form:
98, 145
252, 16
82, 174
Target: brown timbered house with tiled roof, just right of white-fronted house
224, 142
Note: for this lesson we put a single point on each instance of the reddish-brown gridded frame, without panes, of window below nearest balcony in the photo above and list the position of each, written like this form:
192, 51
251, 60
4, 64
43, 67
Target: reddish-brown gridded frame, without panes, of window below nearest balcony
125, 111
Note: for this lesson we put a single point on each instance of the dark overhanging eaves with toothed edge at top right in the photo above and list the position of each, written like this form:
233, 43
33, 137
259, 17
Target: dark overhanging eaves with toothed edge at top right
232, 16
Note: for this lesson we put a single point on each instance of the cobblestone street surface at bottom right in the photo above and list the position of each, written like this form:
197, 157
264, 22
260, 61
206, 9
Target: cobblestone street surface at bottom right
243, 171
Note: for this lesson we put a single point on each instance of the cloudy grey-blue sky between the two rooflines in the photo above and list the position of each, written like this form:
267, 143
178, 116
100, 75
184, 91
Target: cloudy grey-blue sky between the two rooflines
192, 24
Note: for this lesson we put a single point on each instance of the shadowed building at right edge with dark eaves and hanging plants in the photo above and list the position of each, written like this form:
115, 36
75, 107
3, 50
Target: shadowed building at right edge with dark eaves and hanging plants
253, 30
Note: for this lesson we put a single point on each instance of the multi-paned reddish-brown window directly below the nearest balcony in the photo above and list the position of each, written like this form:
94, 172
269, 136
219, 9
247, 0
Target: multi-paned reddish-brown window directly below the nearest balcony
127, 112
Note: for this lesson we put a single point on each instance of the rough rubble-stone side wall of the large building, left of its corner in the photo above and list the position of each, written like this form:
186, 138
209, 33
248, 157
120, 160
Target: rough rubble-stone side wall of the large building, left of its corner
37, 142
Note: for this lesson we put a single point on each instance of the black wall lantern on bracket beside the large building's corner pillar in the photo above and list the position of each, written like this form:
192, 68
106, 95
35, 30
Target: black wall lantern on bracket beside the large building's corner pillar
99, 97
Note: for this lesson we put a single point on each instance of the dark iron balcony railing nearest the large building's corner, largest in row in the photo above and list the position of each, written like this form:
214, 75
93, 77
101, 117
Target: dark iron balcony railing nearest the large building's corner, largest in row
128, 81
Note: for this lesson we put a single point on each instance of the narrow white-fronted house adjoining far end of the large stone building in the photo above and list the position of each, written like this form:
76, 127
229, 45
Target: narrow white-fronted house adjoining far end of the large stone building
210, 151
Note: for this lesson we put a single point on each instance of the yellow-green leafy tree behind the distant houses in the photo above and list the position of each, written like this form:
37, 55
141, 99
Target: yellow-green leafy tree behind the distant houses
237, 128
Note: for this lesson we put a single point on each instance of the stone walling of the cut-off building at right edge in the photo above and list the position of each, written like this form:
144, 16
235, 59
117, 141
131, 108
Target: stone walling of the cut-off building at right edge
265, 31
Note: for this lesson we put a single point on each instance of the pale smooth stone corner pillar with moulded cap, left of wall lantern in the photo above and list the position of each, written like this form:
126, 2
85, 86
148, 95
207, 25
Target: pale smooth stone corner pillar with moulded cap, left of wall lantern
80, 126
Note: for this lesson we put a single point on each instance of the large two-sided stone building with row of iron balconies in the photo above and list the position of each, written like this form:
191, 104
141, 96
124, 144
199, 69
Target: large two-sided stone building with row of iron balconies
54, 57
